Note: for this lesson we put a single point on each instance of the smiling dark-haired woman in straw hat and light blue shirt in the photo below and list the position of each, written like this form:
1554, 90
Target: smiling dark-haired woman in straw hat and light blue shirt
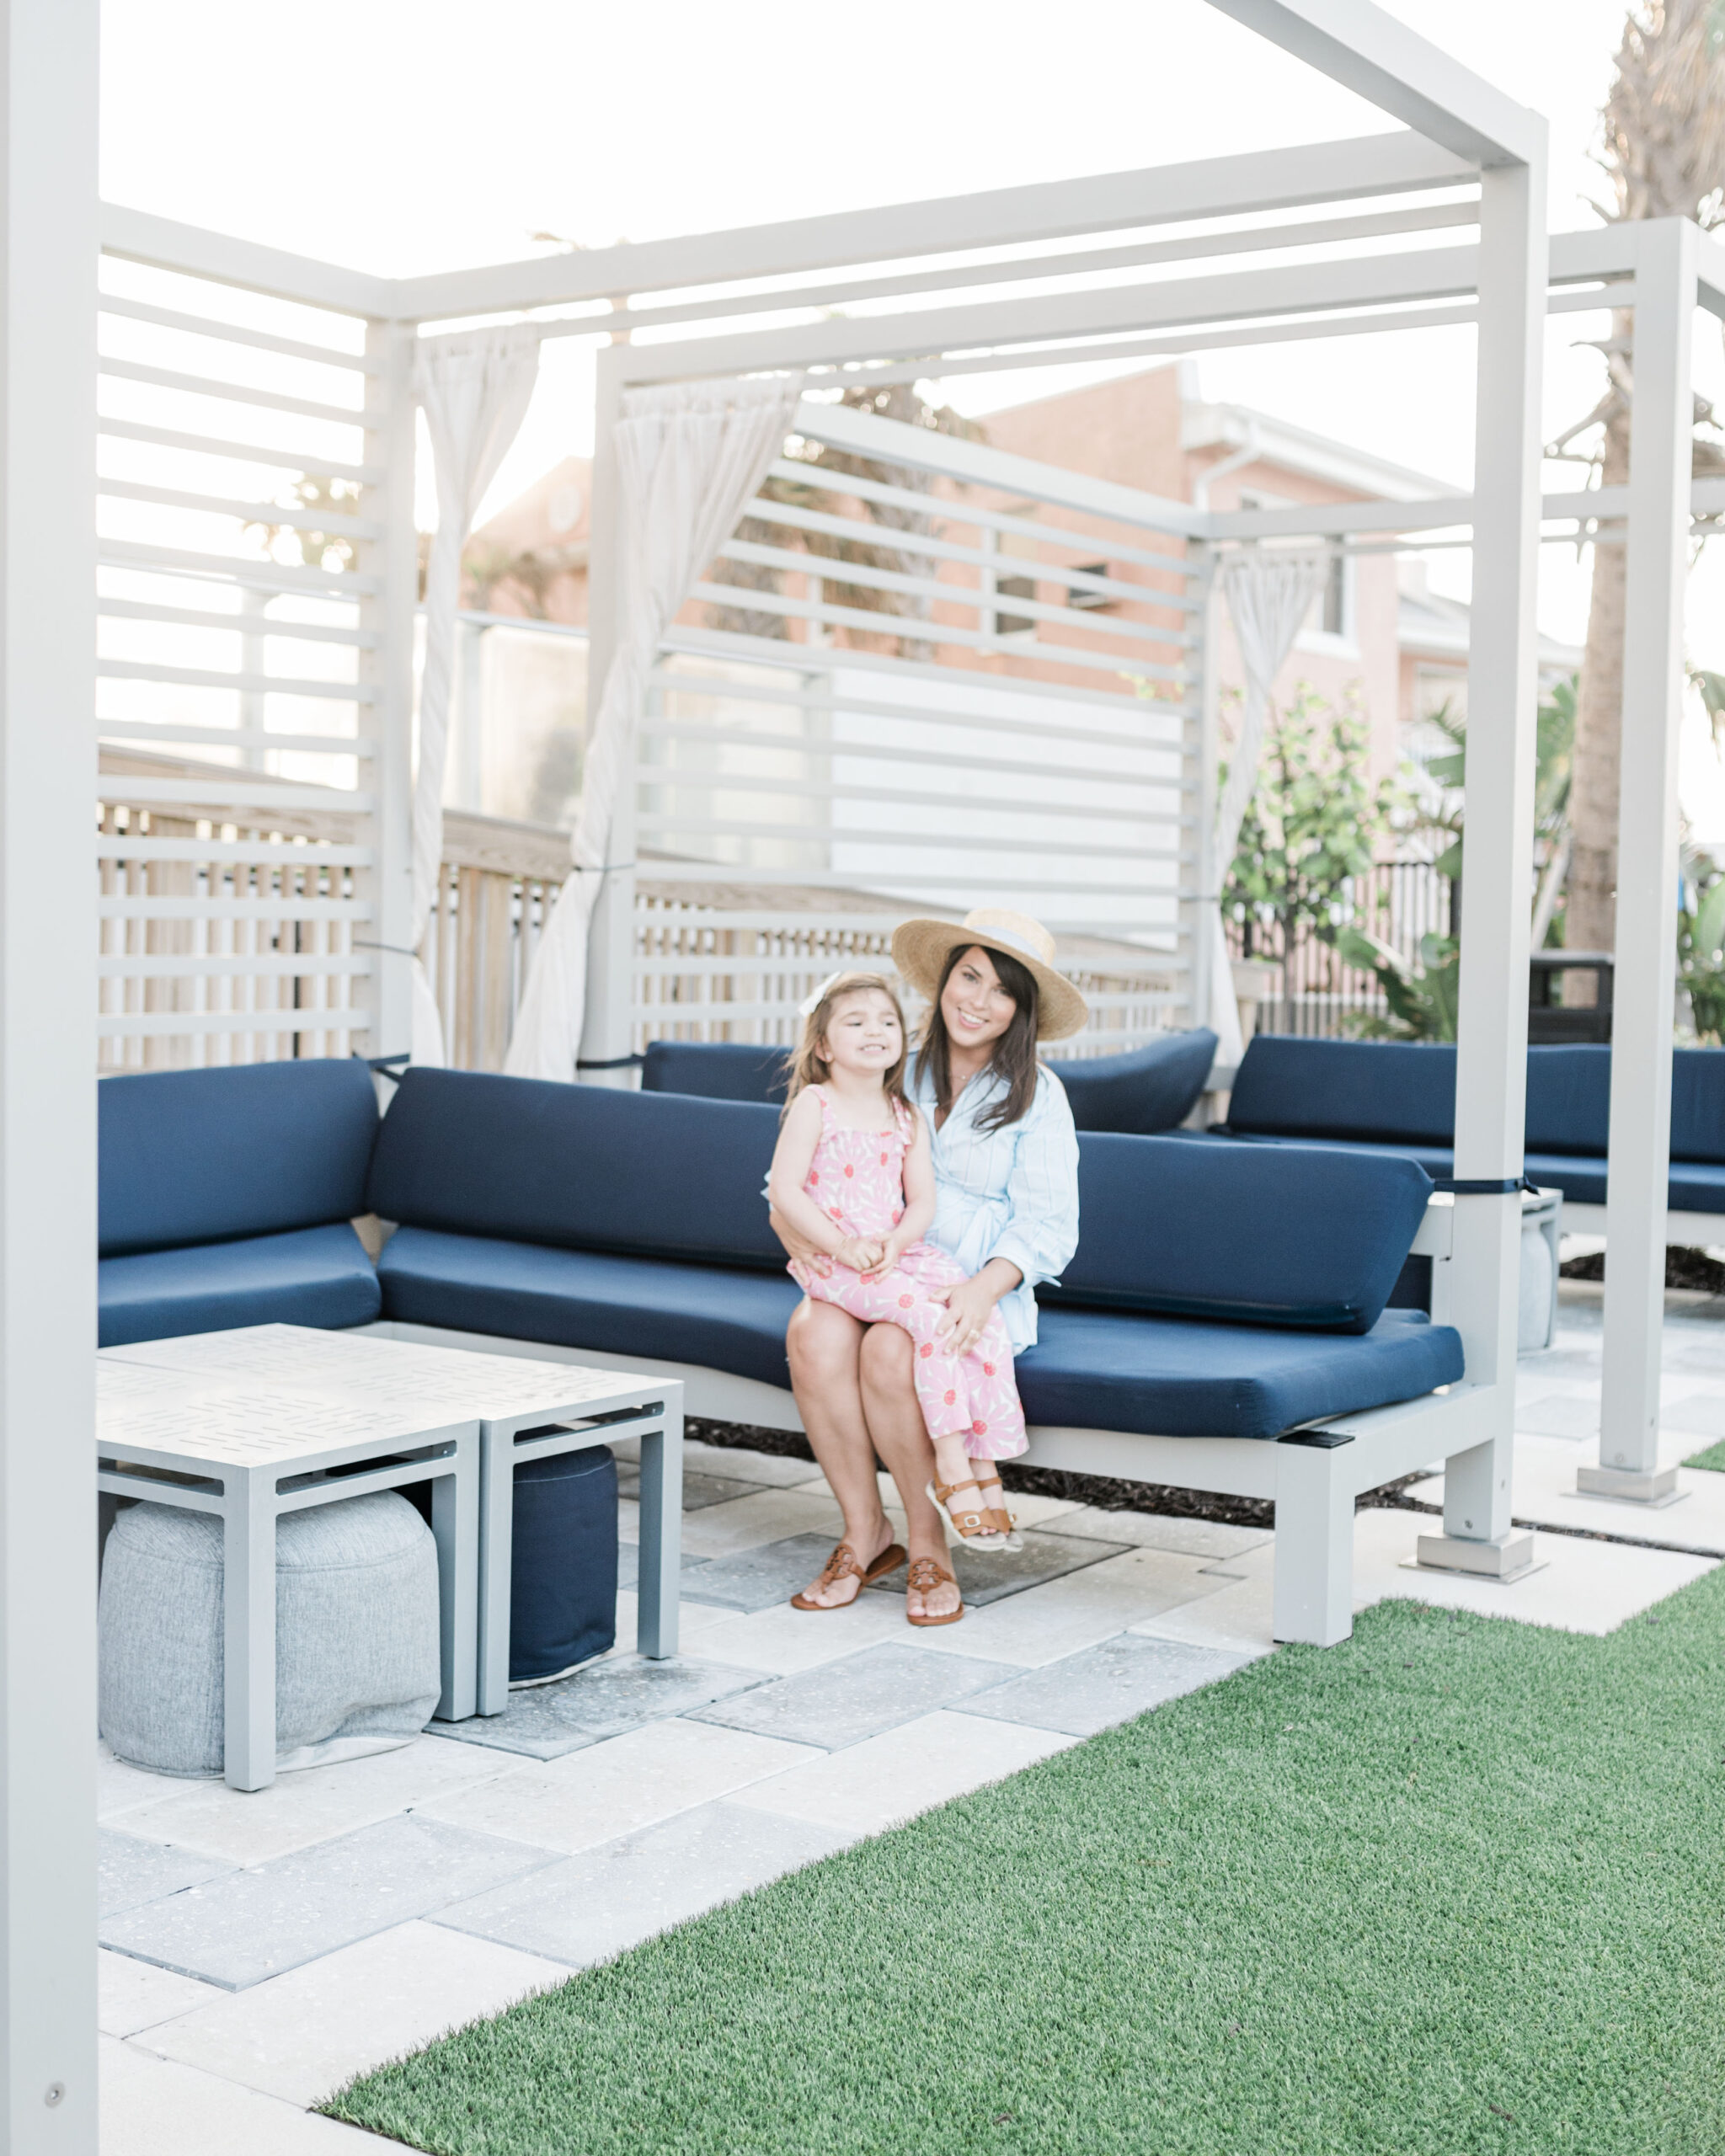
1006, 1163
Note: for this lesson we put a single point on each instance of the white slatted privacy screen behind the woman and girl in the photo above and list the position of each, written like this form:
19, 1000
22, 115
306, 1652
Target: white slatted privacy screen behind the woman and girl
930, 687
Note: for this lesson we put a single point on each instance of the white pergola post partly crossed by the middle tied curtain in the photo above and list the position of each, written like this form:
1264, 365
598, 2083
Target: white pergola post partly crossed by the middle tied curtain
607, 1027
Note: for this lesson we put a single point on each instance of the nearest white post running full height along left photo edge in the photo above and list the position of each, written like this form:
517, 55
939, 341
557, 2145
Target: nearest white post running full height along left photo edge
49, 939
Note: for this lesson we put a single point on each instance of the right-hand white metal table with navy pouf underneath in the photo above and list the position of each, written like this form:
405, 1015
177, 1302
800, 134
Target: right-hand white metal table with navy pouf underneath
525, 1411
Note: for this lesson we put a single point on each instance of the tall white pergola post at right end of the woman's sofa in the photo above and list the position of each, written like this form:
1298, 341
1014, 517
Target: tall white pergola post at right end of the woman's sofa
1491, 1064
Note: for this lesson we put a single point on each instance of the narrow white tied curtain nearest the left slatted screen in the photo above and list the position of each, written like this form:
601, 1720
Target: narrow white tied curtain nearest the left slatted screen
475, 391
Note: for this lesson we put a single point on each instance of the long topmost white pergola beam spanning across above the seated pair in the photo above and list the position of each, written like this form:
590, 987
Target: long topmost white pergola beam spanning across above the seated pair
950, 225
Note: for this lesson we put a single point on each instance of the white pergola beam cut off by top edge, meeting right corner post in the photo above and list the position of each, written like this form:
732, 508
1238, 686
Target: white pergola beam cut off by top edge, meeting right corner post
1381, 59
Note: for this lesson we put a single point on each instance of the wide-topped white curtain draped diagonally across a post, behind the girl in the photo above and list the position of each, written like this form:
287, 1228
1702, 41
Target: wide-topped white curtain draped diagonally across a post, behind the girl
689, 462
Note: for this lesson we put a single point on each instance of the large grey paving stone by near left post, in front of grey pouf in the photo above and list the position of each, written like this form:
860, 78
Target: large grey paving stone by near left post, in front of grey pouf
256, 1924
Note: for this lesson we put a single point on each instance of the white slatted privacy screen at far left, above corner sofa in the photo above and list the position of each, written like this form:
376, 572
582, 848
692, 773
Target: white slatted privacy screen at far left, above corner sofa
238, 583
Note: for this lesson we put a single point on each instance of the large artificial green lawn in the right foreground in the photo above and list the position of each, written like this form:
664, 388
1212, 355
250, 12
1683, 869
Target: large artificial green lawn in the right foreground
1452, 1888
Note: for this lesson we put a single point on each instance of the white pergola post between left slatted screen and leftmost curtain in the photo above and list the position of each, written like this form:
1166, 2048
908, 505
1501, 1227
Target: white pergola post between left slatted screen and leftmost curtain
389, 667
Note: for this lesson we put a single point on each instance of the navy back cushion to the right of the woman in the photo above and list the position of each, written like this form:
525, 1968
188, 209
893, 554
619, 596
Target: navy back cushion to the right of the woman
1269, 1234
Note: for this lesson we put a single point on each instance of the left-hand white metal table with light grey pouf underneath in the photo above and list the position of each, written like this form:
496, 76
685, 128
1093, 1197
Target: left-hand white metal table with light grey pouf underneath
249, 1452
